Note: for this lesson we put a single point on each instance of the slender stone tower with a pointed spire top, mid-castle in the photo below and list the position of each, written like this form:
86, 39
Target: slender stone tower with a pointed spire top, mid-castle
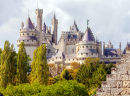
54, 23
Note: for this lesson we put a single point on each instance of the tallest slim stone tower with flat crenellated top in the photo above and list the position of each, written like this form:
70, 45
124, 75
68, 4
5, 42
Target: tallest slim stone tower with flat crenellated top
39, 13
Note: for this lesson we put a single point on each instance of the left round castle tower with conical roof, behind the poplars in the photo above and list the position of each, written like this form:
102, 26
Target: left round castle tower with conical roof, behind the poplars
28, 36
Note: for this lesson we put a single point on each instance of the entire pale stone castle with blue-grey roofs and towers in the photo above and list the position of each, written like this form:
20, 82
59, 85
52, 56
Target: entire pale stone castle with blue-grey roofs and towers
73, 45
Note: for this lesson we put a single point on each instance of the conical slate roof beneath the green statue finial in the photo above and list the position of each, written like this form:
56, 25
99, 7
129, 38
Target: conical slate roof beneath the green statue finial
88, 36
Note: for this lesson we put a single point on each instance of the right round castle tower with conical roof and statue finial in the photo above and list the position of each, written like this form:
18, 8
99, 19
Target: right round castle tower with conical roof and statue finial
87, 47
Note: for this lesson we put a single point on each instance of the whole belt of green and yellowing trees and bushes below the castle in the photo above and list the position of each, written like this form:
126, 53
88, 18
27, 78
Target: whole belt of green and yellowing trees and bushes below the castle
80, 80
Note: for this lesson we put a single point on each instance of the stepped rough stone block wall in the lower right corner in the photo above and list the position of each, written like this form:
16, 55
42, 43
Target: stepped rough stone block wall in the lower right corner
118, 82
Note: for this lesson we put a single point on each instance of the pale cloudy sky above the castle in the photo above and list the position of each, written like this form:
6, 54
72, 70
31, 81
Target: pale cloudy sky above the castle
109, 19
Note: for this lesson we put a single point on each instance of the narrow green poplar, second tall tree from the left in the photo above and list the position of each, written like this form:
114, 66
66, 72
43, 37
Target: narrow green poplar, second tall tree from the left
22, 61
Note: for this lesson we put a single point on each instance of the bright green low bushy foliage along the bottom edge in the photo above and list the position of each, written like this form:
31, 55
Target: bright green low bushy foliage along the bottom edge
61, 88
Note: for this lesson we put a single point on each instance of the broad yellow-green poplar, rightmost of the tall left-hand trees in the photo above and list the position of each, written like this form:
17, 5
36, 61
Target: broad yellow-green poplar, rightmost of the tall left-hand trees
40, 69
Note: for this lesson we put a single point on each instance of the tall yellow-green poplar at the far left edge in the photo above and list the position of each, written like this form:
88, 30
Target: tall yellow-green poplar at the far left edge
7, 66
